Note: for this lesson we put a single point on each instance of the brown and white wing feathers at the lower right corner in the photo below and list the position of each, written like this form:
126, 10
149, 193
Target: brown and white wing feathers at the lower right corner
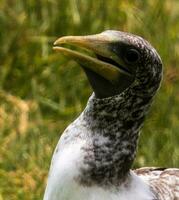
163, 182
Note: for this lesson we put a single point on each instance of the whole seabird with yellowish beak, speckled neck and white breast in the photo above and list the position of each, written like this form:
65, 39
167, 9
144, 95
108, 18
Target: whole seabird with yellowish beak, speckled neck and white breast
94, 156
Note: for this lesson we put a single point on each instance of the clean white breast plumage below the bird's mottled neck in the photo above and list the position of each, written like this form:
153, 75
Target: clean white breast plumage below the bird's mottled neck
62, 185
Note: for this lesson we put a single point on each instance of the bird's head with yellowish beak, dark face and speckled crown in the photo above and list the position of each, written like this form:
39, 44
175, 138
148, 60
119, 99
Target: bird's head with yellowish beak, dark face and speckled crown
121, 60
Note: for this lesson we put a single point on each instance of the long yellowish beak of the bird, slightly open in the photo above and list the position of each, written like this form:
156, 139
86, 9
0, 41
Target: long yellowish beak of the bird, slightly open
99, 44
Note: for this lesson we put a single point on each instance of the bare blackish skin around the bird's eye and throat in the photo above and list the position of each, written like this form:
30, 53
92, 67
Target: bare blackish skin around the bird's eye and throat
104, 88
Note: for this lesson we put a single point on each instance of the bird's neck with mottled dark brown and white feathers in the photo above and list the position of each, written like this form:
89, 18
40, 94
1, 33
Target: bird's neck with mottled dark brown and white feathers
113, 125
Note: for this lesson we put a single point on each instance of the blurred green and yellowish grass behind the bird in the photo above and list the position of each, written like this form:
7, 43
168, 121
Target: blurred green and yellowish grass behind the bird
41, 92
